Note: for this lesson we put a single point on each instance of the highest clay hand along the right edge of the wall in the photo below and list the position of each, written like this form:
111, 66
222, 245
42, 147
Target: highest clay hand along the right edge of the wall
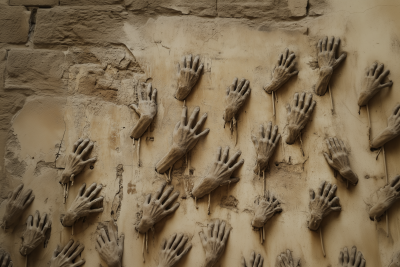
372, 83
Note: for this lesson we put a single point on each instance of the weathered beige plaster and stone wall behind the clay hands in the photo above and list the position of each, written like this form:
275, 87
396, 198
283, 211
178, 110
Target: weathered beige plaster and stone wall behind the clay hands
68, 69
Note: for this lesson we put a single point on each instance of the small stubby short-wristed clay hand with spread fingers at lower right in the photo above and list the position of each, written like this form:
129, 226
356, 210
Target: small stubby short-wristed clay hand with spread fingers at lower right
265, 209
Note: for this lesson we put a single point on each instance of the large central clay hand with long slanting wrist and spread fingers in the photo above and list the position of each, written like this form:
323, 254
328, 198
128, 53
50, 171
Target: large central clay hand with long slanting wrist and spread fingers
185, 137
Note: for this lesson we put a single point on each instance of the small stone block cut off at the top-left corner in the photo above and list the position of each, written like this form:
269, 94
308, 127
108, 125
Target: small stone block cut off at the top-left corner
14, 24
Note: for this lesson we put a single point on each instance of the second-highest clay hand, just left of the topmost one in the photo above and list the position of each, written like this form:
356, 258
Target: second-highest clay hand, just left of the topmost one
282, 72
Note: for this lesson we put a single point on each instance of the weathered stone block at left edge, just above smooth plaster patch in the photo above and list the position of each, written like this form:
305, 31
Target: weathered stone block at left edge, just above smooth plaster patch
36, 70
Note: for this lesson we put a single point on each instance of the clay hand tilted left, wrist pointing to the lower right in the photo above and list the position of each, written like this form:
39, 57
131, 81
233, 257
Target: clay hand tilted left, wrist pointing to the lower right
340, 160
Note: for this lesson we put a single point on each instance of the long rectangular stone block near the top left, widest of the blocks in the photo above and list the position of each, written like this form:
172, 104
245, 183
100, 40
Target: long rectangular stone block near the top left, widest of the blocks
80, 25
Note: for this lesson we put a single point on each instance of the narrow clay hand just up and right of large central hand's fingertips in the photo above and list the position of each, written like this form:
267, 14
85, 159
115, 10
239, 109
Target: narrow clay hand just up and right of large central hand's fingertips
236, 95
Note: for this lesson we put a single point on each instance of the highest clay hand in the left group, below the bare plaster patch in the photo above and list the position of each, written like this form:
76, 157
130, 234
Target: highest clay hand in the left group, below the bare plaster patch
75, 162
